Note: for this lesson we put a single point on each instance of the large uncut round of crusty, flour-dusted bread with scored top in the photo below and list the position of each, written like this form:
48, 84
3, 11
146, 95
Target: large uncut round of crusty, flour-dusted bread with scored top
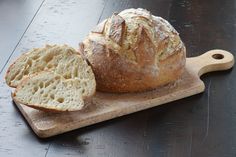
134, 51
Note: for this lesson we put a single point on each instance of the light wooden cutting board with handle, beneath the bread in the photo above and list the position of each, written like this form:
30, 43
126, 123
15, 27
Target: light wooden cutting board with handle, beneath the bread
106, 106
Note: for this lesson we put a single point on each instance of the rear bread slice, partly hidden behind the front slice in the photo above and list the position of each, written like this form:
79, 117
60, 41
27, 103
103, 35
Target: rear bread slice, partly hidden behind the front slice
63, 60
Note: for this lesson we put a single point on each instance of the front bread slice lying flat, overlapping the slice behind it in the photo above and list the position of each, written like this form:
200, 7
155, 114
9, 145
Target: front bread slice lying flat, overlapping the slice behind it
49, 91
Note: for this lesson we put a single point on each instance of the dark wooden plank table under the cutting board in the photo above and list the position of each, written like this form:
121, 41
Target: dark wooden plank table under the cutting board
203, 125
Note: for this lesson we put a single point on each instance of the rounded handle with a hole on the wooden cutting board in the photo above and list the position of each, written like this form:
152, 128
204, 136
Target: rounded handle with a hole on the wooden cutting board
213, 60
